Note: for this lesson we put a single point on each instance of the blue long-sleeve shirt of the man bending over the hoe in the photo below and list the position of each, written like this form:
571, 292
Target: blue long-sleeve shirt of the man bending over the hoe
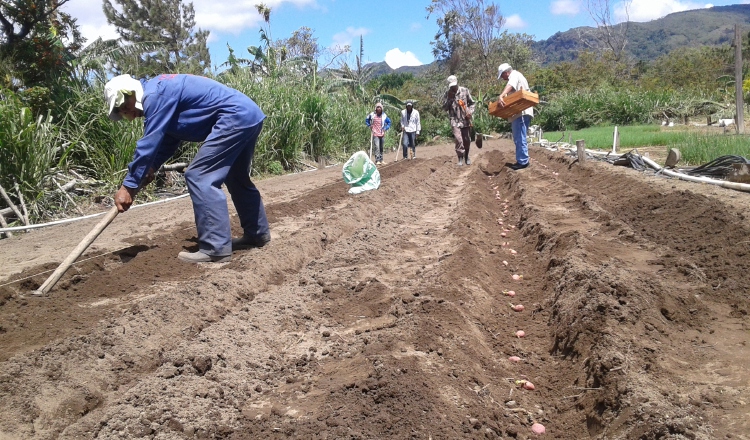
185, 108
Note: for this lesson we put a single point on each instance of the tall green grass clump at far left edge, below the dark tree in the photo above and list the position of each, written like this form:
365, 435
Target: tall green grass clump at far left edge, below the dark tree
29, 146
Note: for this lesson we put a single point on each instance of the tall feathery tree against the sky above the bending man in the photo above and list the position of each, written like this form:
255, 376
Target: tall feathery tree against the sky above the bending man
169, 23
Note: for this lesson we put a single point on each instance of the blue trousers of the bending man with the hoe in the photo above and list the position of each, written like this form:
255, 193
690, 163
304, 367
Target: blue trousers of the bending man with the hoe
225, 157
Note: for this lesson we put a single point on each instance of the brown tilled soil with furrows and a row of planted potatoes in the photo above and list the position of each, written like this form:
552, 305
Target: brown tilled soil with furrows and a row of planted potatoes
383, 315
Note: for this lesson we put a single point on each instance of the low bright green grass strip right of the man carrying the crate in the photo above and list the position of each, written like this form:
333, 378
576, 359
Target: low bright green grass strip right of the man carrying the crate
634, 136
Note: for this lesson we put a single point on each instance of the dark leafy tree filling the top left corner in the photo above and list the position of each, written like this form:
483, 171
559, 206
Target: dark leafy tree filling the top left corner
38, 38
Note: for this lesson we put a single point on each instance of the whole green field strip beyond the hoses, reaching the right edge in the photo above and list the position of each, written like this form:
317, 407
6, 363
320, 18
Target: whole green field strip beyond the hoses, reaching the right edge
696, 147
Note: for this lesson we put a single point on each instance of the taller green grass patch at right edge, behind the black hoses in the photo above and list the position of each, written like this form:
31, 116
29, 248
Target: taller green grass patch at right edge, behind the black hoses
698, 148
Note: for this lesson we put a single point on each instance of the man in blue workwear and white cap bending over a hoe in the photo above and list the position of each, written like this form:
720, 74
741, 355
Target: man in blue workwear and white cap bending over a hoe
191, 108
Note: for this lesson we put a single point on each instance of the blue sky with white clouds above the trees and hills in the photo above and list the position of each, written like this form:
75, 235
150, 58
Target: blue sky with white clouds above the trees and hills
395, 31
